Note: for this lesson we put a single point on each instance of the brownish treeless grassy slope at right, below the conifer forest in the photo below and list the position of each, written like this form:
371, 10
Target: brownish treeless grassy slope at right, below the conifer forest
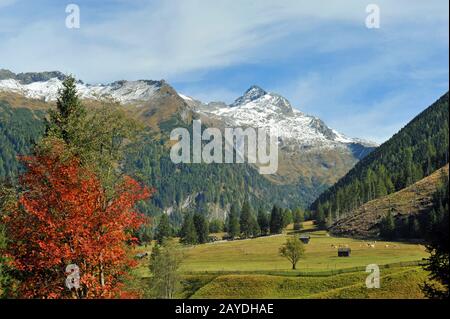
410, 201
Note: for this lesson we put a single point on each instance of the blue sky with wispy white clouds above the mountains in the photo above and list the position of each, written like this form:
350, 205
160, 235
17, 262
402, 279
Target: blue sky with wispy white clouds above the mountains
366, 83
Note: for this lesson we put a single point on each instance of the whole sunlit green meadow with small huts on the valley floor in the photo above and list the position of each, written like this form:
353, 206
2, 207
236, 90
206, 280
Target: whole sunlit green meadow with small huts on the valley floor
253, 269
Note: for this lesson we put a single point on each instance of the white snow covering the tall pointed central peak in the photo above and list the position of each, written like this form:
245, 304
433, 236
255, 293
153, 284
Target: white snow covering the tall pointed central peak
260, 109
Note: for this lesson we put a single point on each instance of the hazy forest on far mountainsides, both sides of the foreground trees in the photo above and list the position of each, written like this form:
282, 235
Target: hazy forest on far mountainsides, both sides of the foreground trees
207, 188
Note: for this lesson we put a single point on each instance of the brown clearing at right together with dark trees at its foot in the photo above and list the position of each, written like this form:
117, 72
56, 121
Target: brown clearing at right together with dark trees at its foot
409, 213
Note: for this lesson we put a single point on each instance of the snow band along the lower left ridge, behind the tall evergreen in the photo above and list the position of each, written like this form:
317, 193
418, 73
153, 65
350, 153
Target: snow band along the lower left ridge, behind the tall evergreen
124, 92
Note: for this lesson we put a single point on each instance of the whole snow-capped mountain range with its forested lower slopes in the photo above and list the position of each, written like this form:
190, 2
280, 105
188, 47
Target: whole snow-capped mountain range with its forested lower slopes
312, 156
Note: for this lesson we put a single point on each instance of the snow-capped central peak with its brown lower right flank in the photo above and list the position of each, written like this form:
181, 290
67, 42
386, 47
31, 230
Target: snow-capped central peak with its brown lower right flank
310, 152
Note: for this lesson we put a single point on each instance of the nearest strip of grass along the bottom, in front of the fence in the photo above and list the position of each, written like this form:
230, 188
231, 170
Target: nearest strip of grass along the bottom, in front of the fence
401, 282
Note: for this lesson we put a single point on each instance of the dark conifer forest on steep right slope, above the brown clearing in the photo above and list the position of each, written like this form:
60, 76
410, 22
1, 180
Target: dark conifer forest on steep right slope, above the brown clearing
416, 151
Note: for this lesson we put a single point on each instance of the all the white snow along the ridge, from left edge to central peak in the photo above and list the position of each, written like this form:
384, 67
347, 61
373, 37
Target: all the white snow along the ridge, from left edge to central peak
256, 108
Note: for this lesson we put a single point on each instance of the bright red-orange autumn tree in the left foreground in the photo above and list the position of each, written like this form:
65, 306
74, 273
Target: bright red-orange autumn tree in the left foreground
63, 218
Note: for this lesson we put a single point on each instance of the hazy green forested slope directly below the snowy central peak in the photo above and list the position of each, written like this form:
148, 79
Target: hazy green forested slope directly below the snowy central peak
207, 188
